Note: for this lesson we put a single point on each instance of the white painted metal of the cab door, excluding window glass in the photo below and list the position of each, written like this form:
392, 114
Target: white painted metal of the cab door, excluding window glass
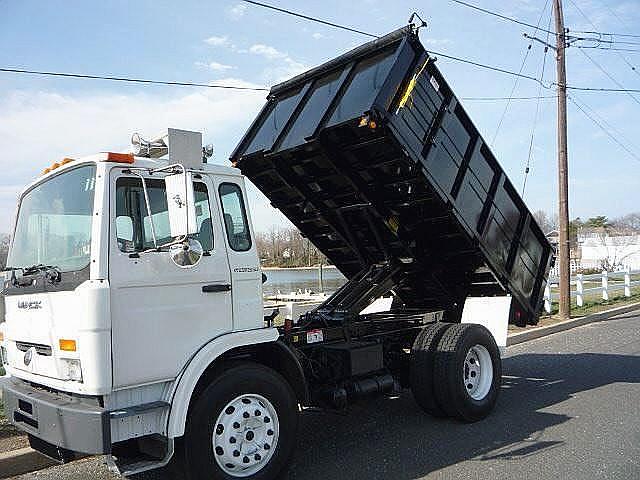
156, 303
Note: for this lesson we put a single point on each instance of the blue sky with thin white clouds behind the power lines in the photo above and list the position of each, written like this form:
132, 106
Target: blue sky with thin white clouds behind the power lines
45, 119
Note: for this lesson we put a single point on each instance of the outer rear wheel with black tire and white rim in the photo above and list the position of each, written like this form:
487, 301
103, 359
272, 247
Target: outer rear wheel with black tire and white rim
468, 372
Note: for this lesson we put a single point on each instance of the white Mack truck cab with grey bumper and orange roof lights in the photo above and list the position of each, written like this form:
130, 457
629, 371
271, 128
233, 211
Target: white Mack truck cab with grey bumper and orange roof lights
105, 306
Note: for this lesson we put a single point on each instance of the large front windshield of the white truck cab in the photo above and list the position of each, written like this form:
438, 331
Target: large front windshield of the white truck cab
54, 222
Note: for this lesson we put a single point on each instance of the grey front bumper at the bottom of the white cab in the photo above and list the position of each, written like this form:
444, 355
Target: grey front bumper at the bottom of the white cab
70, 422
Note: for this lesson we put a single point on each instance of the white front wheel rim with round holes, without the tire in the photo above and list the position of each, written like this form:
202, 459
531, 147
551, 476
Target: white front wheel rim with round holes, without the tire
245, 435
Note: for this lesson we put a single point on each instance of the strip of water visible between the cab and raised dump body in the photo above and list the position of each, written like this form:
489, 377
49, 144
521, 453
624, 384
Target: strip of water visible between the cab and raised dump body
288, 280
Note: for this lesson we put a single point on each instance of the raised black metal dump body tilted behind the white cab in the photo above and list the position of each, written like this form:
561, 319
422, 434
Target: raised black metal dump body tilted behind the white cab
391, 180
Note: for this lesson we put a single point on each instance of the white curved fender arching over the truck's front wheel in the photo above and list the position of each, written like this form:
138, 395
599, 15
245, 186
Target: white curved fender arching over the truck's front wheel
181, 395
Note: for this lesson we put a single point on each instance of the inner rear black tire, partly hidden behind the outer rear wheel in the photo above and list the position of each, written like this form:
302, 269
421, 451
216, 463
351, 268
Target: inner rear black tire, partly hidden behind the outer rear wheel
421, 372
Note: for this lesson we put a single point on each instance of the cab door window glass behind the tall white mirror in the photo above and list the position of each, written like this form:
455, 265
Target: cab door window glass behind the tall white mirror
133, 224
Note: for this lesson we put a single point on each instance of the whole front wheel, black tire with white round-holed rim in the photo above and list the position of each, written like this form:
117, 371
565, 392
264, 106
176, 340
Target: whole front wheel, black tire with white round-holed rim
243, 425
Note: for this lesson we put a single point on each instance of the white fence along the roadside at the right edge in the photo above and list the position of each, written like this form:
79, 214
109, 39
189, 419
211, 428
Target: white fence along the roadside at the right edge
581, 285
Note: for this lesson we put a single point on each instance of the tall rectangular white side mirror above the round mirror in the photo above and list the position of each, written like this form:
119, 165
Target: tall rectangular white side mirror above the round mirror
181, 204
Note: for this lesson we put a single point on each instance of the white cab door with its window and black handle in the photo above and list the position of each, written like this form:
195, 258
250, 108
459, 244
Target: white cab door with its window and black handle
161, 313
